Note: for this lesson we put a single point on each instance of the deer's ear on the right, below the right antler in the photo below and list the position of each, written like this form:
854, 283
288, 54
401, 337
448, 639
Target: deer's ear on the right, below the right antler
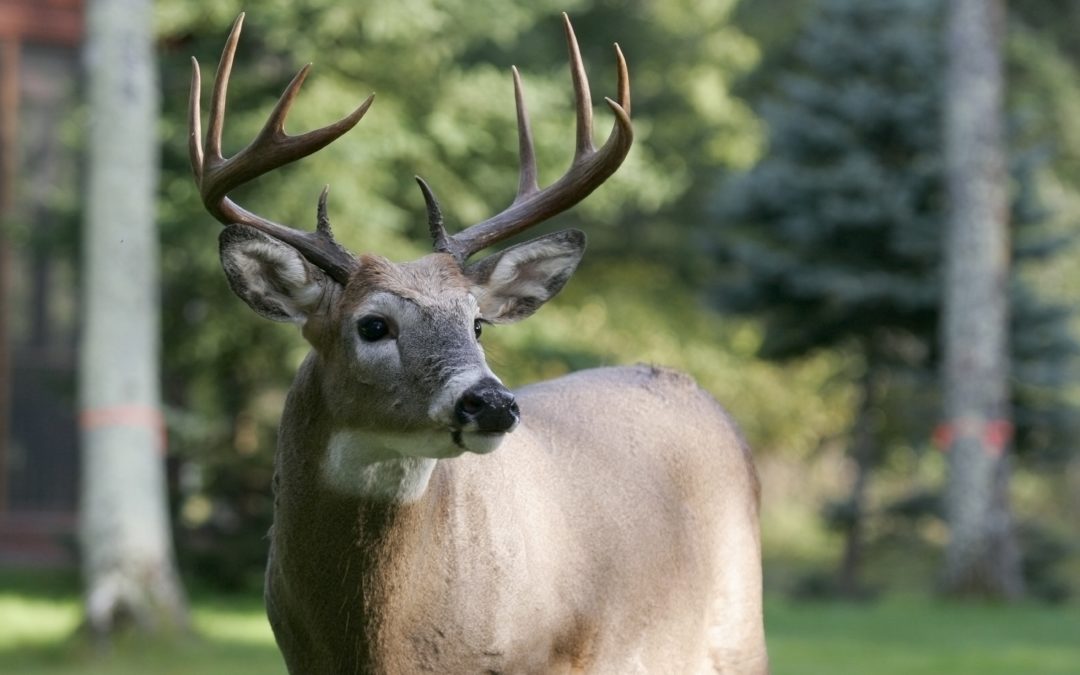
512, 285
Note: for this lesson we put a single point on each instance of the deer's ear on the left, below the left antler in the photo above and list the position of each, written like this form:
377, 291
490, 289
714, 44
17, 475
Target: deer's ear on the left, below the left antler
272, 277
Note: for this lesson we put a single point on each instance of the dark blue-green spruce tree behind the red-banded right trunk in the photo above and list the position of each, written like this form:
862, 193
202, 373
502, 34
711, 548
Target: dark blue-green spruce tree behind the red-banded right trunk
835, 238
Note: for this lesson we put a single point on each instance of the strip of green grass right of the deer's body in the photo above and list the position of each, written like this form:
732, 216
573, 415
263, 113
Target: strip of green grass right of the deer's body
916, 637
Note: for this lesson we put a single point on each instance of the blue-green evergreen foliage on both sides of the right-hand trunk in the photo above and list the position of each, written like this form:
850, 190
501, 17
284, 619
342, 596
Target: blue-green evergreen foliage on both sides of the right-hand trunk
834, 239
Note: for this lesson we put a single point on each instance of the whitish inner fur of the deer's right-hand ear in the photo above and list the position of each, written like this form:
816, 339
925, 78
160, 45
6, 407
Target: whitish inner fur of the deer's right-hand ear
528, 272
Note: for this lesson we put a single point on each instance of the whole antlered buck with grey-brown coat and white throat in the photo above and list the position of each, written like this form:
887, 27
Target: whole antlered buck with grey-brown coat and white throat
429, 520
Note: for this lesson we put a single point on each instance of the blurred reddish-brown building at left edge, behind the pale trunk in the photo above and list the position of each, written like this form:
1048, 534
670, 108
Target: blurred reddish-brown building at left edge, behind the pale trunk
39, 187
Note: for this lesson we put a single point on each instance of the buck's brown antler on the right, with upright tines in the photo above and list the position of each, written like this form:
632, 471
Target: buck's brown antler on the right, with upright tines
589, 169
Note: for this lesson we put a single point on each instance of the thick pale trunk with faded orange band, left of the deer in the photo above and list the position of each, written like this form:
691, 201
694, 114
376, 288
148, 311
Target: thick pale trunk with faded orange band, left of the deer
127, 547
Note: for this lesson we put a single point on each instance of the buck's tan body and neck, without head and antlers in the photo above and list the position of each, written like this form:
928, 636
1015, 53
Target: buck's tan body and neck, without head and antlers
617, 547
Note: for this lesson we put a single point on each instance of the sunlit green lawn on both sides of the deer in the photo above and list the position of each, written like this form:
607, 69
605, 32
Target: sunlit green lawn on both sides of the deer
909, 636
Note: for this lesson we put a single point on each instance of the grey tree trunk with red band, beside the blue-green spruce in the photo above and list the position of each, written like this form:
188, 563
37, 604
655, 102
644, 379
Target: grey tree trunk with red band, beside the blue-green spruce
982, 559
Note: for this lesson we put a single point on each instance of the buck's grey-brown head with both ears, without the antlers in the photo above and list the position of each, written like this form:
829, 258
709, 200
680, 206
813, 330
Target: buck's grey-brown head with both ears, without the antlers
399, 344
